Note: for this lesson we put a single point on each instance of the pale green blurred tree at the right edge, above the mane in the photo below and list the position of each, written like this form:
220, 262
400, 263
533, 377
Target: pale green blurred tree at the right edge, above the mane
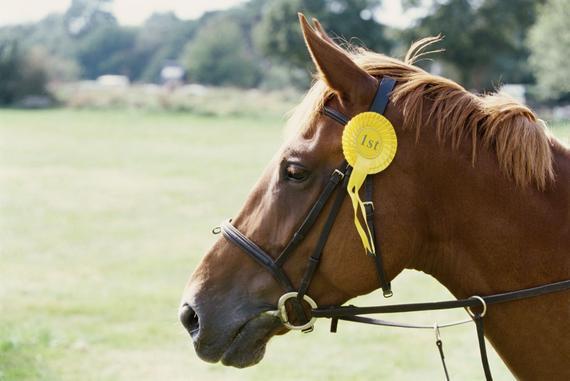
549, 41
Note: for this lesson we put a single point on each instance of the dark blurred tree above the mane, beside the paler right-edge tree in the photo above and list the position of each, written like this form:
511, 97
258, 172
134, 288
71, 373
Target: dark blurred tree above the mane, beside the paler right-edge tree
484, 40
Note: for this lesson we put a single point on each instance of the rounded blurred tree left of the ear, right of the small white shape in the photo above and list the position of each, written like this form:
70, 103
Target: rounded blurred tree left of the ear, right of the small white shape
219, 55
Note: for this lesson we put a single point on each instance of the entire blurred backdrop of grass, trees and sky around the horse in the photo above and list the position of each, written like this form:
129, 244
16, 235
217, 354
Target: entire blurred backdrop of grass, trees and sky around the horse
112, 170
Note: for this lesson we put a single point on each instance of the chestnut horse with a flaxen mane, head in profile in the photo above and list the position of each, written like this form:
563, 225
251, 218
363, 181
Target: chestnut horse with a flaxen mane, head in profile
477, 196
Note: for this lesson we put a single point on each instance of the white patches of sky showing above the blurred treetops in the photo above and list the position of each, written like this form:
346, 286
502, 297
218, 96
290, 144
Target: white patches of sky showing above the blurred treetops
133, 12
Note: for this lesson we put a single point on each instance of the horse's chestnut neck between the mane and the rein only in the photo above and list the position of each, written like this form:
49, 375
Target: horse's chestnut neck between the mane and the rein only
484, 233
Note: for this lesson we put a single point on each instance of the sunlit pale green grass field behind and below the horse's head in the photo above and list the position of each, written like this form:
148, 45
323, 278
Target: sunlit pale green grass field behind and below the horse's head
103, 217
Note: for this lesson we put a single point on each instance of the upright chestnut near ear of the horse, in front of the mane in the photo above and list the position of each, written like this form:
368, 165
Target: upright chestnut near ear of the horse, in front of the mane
346, 78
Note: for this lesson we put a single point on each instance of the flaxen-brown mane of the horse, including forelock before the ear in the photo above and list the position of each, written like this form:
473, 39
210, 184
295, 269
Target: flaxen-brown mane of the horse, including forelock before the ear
499, 123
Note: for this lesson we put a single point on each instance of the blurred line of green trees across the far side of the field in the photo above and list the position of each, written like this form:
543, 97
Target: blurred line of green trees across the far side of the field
258, 43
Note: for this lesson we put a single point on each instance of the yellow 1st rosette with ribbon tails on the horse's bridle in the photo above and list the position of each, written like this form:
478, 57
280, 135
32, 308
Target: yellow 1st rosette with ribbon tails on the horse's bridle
369, 144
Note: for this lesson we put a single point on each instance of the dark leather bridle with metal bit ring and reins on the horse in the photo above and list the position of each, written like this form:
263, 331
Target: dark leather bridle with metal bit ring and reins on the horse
306, 310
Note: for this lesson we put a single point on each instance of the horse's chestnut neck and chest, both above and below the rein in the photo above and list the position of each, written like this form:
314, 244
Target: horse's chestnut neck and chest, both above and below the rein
485, 235
